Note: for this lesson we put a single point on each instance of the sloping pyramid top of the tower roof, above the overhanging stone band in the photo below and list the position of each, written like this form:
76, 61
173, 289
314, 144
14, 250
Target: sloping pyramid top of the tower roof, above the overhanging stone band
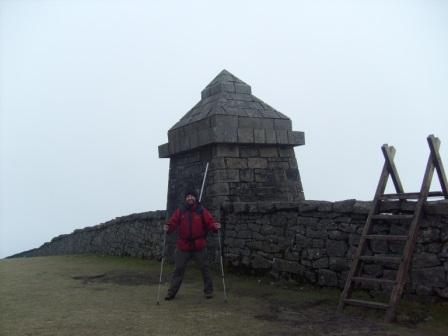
228, 95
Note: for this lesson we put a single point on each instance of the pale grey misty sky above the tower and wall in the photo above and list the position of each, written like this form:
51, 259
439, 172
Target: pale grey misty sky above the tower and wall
88, 90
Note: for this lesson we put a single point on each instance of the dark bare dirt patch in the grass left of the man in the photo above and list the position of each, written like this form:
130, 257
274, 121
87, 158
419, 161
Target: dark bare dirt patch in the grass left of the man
119, 278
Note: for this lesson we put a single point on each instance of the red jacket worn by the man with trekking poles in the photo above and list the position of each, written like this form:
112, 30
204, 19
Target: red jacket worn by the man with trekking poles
192, 225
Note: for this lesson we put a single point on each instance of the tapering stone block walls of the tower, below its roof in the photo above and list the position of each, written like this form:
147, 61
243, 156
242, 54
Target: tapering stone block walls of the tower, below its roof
237, 173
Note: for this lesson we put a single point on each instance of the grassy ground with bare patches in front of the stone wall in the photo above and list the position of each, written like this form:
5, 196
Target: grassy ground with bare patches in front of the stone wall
94, 295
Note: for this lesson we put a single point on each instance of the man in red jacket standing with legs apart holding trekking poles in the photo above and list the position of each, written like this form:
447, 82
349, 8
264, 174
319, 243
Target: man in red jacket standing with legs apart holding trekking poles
191, 221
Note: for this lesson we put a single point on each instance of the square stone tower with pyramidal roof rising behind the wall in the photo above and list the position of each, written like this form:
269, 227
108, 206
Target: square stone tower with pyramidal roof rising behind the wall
248, 144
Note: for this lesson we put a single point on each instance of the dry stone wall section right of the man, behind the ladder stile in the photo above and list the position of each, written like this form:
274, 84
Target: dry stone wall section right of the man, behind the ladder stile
314, 242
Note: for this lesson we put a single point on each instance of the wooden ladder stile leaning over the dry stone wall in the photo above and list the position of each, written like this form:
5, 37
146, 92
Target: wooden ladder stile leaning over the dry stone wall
404, 260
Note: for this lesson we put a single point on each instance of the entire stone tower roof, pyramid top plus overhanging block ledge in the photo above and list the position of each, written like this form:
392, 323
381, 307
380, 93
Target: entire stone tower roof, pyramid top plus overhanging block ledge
229, 113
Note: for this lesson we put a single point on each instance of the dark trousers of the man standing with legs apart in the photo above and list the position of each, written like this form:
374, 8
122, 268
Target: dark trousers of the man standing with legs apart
181, 260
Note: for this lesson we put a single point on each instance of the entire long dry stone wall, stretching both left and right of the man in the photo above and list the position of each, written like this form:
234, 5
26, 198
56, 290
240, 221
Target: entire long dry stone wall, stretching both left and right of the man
309, 241
